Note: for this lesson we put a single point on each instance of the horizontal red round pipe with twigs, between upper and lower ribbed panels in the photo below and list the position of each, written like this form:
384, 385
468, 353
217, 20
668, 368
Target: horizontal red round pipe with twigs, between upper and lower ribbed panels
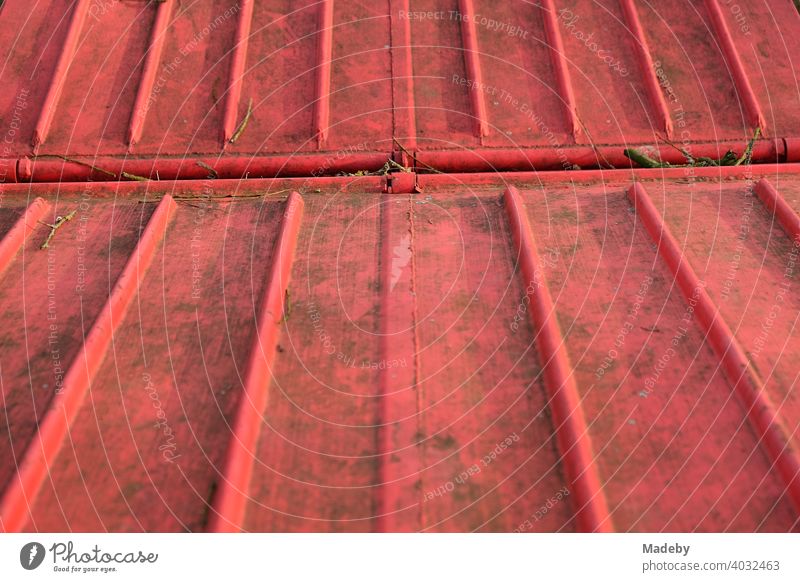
54, 169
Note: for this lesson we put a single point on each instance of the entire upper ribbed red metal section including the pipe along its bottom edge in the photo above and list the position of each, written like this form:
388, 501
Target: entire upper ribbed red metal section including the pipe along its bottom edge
521, 83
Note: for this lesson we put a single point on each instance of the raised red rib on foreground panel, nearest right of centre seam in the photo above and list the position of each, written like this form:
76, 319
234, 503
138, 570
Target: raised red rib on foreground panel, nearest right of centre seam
572, 433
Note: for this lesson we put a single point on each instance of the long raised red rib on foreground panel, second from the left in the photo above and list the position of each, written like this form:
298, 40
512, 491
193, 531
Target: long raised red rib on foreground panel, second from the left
54, 429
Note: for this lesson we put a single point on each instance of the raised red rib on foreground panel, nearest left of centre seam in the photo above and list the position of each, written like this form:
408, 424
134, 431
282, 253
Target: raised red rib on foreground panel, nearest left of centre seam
230, 501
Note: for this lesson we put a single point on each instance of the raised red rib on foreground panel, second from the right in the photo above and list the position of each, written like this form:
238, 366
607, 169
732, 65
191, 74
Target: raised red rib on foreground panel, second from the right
762, 413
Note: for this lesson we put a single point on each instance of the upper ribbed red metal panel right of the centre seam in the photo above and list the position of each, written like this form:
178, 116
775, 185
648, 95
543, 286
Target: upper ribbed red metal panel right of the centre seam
612, 71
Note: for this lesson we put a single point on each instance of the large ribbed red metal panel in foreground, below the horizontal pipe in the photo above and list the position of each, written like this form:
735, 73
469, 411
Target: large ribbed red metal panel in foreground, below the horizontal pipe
616, 348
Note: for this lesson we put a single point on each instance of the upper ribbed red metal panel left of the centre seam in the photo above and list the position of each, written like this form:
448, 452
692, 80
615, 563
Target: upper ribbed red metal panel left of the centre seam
170, 79
